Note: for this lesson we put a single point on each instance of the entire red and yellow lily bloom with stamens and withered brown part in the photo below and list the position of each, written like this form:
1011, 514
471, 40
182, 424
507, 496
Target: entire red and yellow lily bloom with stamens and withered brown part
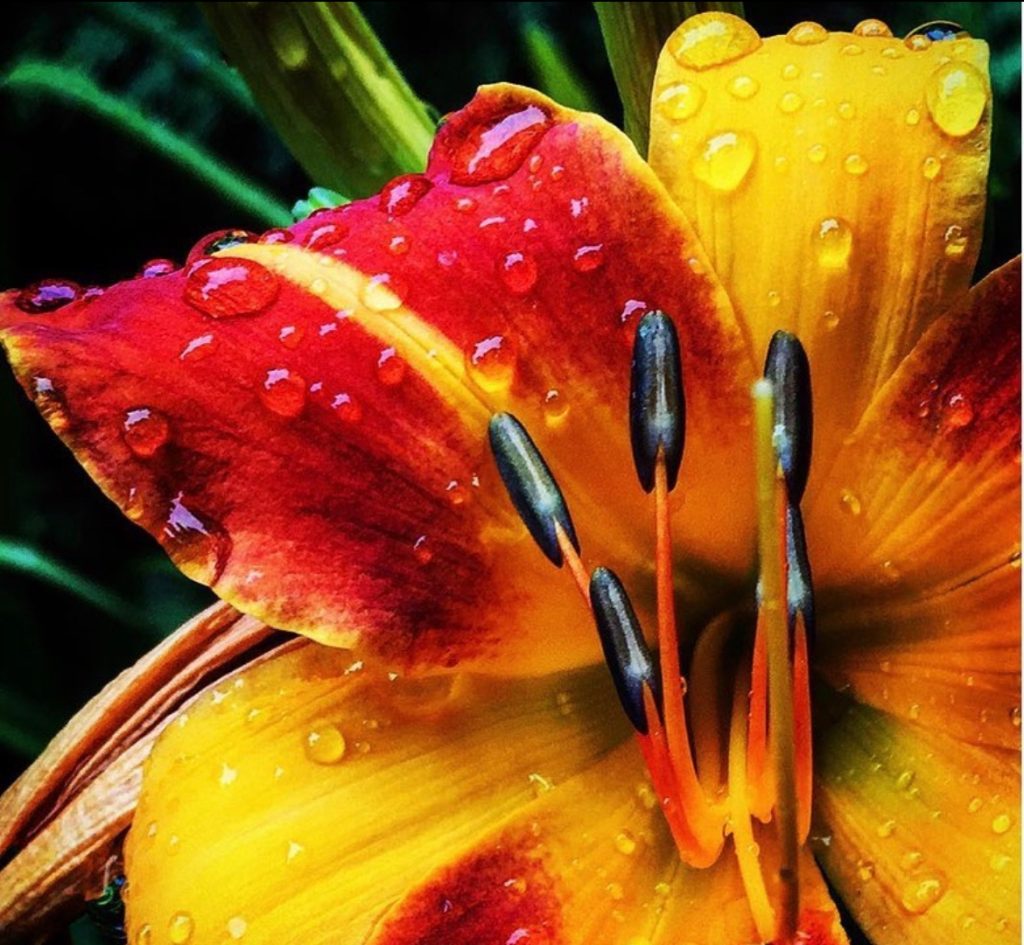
475, 439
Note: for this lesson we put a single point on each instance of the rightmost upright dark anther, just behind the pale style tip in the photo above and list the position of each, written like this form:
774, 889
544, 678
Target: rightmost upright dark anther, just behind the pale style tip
788, 370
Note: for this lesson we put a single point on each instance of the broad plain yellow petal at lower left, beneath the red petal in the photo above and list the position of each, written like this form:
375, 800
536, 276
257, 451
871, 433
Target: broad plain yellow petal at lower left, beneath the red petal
314, 793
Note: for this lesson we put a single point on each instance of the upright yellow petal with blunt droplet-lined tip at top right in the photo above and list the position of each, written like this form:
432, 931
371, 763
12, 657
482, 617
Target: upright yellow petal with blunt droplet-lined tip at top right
837, 182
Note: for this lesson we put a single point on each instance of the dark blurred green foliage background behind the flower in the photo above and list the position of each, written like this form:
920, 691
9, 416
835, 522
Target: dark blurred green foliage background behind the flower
82, 592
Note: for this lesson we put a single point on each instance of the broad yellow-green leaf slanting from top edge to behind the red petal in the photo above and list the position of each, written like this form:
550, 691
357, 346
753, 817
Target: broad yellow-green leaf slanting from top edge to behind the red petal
329, 89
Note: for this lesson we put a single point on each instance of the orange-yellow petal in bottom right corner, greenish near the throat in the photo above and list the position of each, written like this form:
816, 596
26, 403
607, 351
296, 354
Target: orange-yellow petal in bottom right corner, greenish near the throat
923, 834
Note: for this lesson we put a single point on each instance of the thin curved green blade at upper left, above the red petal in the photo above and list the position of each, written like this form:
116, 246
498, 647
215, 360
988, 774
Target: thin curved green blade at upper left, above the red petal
74, 89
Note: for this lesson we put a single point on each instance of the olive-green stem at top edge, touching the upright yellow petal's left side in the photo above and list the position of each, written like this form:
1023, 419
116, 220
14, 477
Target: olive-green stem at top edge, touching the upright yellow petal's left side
634, 35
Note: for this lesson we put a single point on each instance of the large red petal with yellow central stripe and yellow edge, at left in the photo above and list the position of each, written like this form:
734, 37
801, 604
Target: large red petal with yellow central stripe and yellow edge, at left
302, 422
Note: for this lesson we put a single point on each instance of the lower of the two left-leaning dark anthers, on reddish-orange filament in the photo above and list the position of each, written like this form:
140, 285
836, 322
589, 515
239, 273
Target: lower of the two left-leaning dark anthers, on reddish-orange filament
625, 649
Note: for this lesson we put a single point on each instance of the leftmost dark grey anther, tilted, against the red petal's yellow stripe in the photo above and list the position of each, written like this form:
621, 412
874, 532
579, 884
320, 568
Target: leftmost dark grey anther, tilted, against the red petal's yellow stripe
532, 487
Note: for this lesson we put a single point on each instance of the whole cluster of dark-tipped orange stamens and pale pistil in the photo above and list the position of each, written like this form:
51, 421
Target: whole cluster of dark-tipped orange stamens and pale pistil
766, 745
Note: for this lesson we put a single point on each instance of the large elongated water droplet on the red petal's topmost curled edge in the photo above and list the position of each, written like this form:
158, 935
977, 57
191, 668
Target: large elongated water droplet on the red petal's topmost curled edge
496, 149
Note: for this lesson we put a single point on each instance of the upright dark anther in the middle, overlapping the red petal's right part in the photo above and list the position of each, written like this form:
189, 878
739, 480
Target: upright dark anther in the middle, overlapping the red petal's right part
658, 410
